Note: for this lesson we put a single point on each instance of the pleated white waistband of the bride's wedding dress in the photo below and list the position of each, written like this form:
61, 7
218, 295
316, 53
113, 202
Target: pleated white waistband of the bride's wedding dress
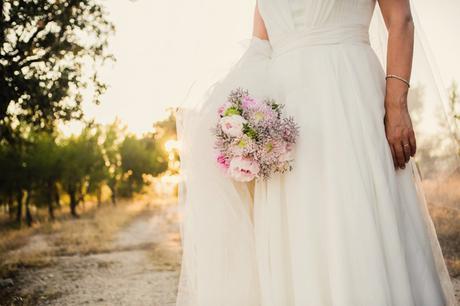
317, 36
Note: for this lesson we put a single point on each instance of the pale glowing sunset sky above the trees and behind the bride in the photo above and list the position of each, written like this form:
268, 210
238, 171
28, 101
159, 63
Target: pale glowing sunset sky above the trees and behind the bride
163, 47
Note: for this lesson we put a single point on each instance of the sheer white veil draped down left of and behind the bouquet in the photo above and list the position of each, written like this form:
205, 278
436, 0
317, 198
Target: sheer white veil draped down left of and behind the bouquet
218, 263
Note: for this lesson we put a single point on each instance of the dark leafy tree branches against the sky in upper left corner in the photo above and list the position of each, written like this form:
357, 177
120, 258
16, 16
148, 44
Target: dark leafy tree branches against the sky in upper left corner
45, 46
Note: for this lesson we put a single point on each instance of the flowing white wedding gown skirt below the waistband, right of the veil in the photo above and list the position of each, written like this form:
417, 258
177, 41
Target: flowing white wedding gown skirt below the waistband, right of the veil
344, 227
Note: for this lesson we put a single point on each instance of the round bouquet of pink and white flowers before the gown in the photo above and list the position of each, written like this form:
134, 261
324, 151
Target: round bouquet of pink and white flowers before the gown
253, 137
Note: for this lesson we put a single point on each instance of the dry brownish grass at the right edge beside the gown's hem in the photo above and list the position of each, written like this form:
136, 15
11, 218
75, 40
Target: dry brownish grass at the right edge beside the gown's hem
444, 204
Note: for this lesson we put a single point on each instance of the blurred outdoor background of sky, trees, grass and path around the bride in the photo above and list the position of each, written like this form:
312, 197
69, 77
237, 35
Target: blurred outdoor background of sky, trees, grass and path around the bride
89, 161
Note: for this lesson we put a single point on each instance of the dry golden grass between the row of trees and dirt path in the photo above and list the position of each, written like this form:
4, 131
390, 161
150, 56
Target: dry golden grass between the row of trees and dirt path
91, 233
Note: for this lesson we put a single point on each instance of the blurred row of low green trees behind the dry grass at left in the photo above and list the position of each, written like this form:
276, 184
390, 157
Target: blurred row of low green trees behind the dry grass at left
42, 165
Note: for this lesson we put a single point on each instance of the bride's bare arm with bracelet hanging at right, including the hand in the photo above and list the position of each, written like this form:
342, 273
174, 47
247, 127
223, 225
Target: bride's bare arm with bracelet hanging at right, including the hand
398, 125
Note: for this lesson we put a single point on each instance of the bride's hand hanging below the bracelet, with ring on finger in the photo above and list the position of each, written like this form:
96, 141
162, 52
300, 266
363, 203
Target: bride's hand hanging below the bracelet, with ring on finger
398, 128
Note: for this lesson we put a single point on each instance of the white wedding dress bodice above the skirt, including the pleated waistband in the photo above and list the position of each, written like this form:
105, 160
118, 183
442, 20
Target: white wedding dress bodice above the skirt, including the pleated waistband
296, 23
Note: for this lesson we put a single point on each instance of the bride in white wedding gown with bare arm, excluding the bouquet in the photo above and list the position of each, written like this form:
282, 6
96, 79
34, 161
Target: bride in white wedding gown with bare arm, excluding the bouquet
348, 226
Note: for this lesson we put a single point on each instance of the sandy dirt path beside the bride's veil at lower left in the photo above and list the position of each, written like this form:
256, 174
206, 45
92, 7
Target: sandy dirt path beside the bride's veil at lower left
142, 268
